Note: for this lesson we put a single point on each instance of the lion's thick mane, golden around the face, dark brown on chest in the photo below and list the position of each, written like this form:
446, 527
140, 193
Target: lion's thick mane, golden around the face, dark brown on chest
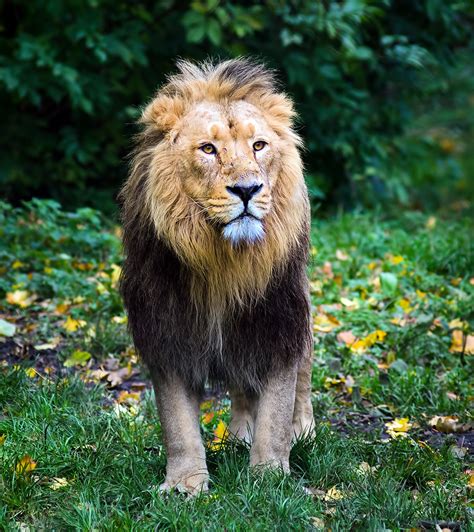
187, 288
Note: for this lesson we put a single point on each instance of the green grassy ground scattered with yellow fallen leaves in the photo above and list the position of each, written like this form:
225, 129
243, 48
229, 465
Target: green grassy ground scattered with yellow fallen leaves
80, 443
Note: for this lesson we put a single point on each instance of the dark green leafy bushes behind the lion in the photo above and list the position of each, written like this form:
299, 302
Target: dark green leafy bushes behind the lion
384, 90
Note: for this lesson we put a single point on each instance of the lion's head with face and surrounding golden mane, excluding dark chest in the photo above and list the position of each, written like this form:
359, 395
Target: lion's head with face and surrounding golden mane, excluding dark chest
218, 173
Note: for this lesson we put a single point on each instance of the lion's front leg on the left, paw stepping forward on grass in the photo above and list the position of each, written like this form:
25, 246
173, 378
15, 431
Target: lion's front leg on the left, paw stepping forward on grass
178, 409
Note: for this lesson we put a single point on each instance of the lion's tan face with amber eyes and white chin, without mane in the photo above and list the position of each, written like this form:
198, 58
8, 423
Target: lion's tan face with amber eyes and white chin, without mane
229, 159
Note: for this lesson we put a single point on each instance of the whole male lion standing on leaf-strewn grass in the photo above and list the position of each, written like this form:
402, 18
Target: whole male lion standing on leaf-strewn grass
216, 223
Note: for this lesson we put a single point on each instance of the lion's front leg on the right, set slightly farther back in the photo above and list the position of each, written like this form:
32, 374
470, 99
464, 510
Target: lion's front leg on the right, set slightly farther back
273, 424
